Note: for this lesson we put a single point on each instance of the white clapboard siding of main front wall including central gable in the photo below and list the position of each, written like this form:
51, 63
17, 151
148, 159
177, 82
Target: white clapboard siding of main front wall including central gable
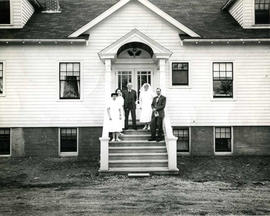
32, 78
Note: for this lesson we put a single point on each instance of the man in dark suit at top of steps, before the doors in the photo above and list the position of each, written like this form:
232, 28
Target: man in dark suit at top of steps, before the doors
130, 98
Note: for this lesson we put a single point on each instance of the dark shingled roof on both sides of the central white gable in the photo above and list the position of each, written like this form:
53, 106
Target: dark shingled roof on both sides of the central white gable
204, 17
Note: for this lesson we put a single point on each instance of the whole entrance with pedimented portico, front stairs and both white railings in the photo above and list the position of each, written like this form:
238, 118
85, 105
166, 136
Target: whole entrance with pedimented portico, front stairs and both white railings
138, 59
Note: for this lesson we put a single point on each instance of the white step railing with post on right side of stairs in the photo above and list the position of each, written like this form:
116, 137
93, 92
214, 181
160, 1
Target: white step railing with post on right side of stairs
171, 144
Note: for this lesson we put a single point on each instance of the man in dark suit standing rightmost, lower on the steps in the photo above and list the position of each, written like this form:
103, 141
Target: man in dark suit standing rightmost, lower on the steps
158, 106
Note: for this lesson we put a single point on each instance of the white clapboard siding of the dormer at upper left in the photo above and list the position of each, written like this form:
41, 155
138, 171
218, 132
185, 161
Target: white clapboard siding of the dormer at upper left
21, 11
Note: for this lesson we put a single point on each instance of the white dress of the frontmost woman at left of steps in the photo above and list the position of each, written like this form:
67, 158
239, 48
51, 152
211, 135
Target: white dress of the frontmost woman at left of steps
114, 125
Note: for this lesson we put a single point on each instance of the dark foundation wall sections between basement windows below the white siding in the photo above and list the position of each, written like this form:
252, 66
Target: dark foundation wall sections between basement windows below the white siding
44, 142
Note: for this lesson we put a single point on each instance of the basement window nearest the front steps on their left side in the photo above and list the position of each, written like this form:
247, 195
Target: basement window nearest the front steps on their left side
68, 141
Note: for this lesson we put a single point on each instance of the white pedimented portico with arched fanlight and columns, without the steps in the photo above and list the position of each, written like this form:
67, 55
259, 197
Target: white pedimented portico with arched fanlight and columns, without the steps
155, 63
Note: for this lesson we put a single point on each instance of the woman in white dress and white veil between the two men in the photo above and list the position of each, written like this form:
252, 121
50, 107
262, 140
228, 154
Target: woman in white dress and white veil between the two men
146, 99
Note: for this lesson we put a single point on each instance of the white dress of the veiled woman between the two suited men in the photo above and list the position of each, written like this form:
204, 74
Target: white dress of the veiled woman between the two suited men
146, 99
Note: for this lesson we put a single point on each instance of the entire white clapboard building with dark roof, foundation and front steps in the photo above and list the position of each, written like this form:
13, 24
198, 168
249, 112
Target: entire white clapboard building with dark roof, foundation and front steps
61, 59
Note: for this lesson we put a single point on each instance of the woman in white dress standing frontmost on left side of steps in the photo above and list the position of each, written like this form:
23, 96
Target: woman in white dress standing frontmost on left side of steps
114, 115
